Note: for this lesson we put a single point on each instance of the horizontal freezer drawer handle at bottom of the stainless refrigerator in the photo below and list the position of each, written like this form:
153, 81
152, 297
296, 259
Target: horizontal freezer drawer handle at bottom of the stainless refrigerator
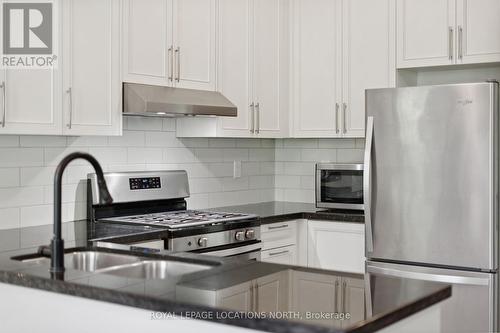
444, 278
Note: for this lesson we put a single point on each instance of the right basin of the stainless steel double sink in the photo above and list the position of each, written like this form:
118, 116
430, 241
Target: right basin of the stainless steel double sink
157, 269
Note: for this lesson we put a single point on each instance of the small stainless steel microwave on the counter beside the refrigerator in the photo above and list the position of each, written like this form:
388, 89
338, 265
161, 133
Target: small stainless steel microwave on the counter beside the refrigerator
339, 186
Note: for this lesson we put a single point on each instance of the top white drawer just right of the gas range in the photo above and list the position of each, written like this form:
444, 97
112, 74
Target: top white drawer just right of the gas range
279, 234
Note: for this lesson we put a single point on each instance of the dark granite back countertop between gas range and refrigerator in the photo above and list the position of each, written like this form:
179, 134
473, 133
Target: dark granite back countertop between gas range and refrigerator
277, 211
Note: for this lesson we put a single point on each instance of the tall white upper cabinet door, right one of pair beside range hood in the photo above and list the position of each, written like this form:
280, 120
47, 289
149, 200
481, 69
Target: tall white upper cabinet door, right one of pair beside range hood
266, 53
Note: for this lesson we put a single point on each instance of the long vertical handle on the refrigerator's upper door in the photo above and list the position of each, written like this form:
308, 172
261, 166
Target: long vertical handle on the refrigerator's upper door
367, 184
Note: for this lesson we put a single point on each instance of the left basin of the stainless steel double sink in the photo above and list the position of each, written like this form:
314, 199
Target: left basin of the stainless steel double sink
91, 261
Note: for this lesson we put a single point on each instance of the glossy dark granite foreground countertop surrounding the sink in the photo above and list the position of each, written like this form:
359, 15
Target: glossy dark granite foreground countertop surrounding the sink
391, 299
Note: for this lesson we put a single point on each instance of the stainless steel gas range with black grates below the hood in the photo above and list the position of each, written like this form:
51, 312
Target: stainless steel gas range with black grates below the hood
156, 200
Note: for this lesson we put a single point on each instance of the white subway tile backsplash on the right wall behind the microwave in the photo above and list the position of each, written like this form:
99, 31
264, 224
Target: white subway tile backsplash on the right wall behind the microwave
295, 160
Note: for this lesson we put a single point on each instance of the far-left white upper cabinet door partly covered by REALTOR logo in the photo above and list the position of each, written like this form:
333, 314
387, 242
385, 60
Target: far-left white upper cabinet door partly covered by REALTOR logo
30, 99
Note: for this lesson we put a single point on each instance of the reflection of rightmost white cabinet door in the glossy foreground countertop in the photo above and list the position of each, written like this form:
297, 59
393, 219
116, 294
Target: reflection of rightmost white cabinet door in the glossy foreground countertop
353, 300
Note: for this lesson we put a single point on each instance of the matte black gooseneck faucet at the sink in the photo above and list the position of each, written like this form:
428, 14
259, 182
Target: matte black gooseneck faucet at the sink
57, 243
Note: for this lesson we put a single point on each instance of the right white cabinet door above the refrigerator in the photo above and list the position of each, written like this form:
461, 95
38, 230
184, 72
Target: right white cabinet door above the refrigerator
478, 31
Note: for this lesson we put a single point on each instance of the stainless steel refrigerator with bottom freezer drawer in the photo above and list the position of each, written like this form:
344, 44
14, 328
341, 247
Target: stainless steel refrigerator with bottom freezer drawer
431, 194
